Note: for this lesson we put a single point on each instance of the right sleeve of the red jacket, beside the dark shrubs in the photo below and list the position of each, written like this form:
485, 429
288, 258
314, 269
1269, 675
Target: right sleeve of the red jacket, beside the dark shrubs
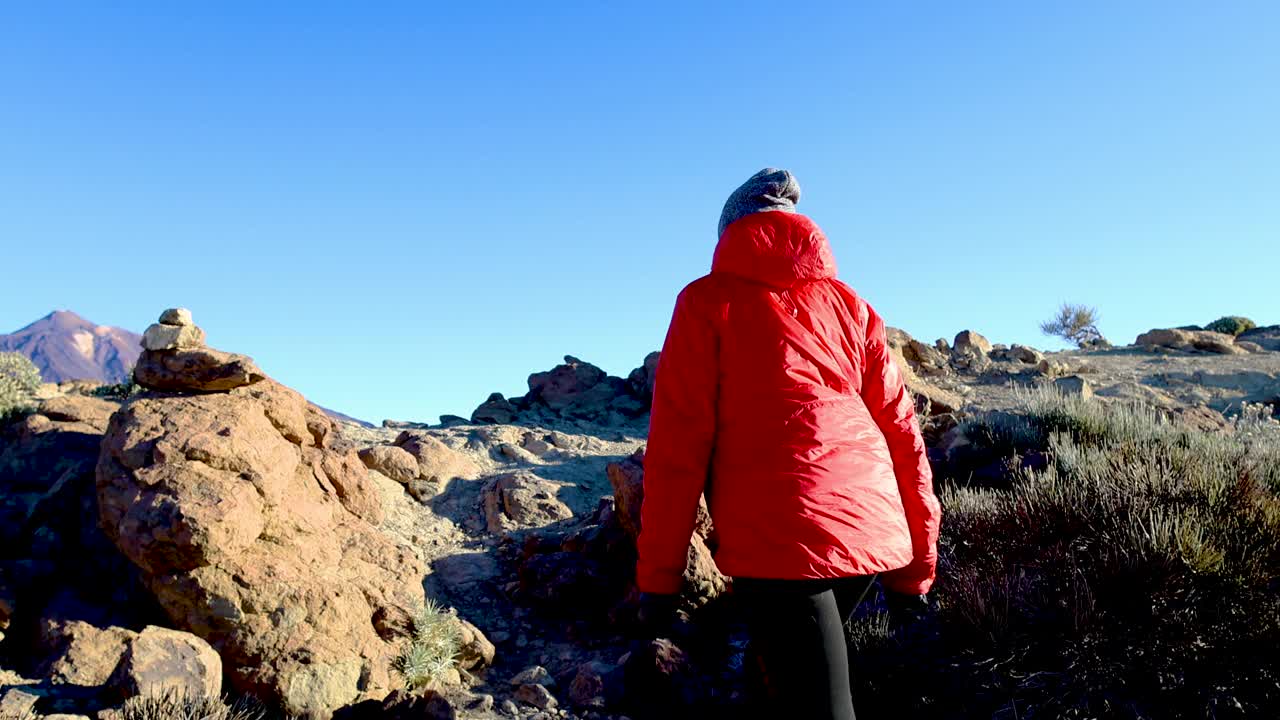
892, 405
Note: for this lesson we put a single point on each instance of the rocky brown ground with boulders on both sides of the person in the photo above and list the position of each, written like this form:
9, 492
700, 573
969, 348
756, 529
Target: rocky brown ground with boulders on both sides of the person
218, 535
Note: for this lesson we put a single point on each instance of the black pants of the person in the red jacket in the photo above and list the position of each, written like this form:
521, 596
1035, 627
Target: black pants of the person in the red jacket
798, 639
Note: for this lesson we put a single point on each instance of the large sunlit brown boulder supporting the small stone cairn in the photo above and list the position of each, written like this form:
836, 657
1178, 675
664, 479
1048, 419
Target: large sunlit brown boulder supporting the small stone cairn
257, 536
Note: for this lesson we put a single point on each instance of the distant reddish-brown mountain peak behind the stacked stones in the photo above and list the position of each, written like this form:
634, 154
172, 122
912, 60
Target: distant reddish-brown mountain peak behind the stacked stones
68, 348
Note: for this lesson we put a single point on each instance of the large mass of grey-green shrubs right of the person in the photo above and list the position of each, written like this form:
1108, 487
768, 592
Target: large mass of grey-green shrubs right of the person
1133, 577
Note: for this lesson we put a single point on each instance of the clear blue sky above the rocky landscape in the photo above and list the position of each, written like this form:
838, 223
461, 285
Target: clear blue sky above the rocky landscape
399, 208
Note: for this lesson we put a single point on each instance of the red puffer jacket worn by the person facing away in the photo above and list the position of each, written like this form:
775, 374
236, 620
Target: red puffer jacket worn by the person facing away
778, 398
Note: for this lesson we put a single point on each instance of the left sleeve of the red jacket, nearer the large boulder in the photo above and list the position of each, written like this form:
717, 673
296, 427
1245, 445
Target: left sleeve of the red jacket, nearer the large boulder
682, 438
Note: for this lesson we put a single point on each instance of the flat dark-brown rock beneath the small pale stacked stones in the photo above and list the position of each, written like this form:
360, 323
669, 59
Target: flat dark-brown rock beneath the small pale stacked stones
195, 371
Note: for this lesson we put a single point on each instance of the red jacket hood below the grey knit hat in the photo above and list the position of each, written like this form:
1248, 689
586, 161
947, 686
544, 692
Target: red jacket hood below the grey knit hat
776, 249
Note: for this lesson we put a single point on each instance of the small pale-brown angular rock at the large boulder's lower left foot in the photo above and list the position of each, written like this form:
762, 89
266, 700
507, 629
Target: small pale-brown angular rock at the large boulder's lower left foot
159, 662
